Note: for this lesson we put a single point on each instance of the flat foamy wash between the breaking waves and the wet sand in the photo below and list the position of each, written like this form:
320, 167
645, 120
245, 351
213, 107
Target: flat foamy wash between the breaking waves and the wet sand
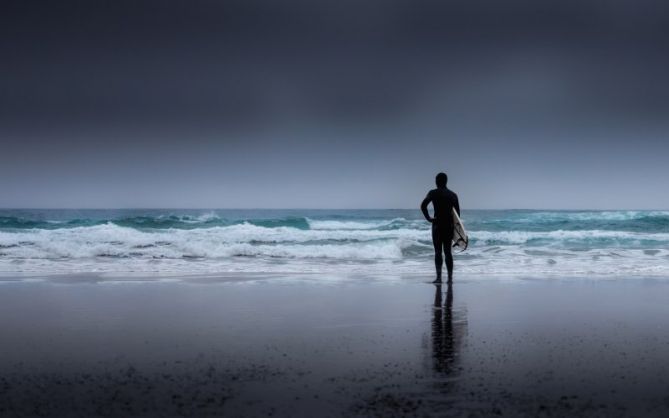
511, 261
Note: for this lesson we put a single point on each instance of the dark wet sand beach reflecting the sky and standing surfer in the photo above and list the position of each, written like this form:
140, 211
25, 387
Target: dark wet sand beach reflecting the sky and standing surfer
79, 346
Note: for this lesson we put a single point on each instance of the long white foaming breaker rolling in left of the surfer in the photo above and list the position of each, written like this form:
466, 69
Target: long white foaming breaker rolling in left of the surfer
110, 240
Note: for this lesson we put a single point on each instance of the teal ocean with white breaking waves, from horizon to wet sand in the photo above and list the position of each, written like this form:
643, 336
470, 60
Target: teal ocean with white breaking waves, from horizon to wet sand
509, 243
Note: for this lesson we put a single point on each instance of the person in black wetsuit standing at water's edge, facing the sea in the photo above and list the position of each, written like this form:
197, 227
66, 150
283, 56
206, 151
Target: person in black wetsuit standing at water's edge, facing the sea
443, 201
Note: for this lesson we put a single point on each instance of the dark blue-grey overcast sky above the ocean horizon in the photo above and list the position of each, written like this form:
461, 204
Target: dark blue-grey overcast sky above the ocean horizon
347, 103
